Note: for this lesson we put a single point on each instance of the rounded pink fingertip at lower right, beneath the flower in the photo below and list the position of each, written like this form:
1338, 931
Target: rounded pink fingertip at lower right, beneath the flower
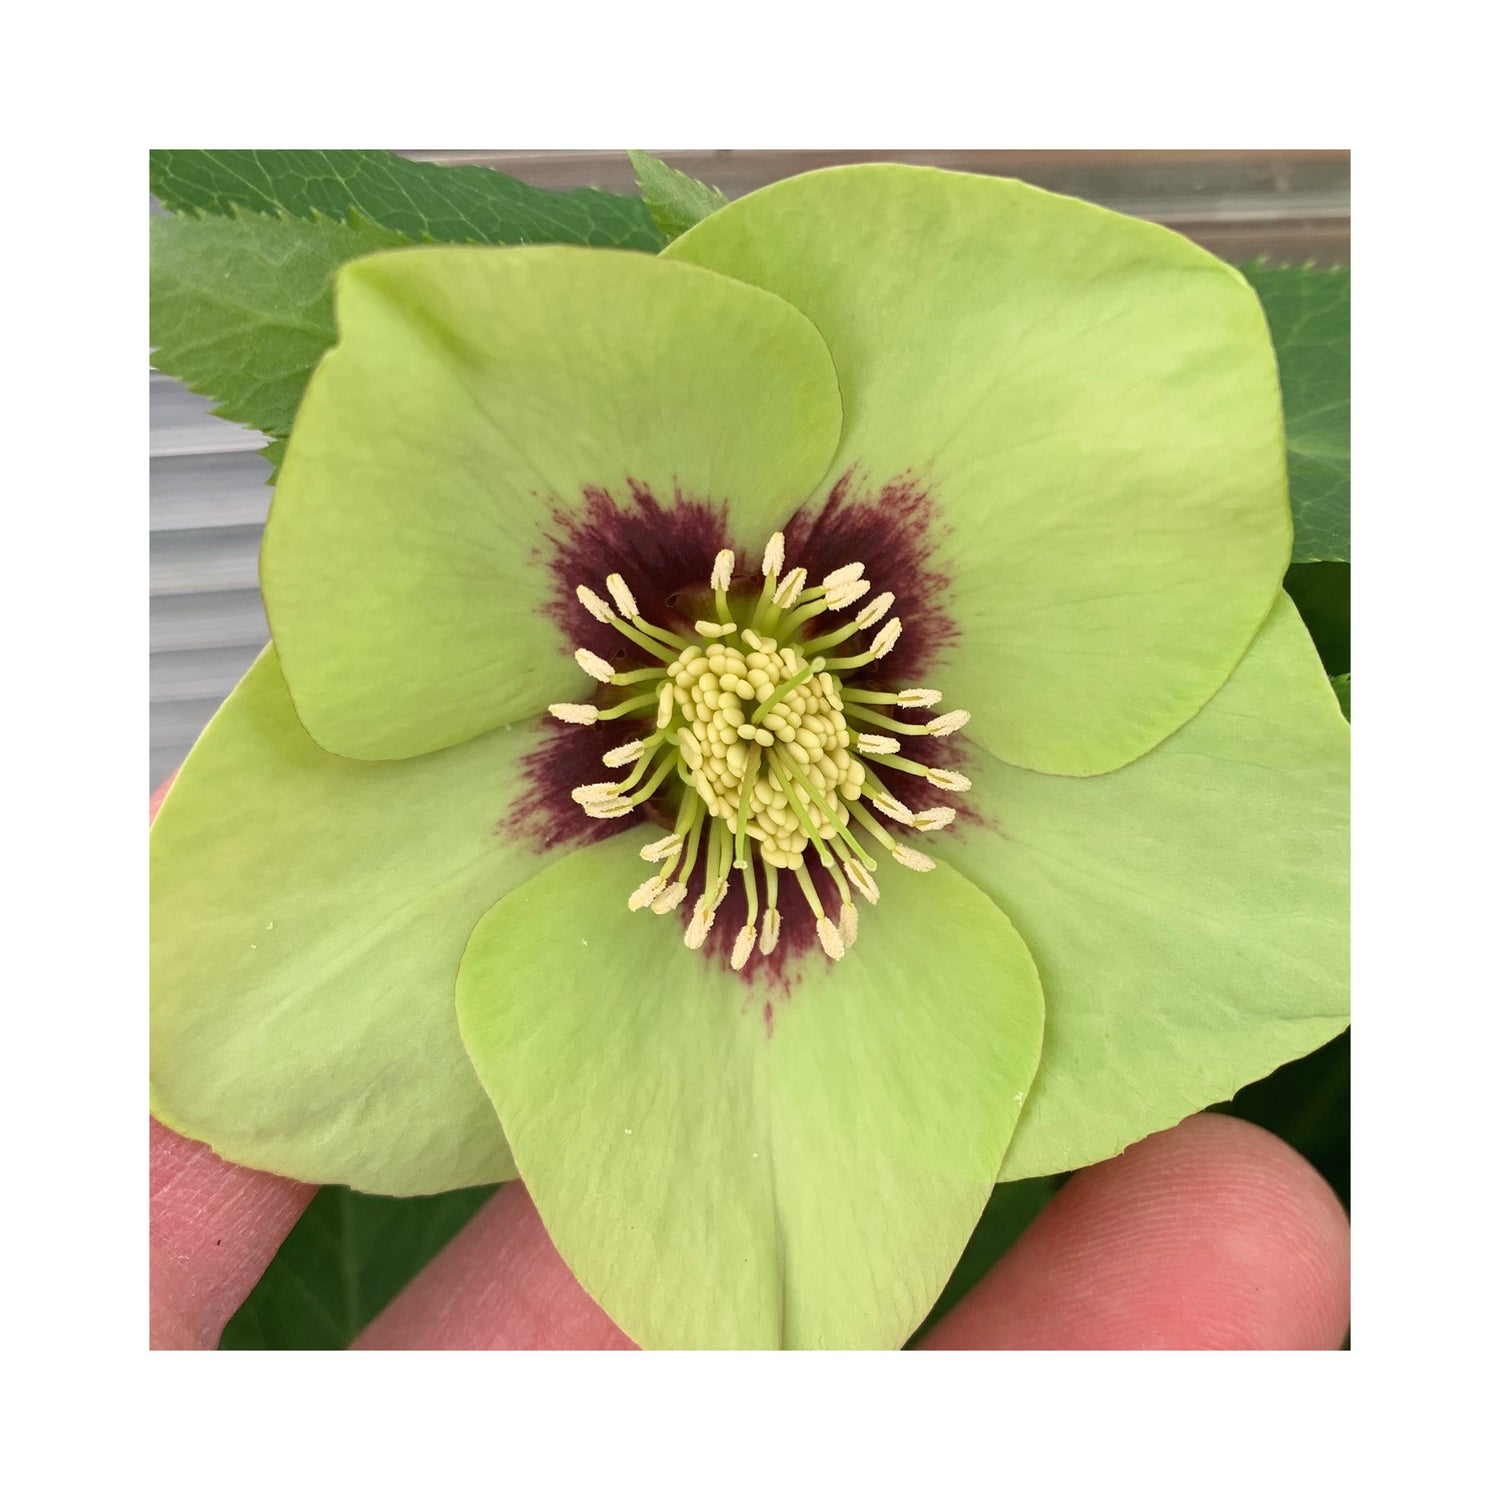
1213, 1235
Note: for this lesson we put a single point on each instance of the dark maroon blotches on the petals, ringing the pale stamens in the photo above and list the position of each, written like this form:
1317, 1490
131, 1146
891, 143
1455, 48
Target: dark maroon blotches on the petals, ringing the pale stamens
665, 553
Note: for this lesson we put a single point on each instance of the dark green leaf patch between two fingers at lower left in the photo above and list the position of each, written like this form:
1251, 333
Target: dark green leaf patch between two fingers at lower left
343, 1264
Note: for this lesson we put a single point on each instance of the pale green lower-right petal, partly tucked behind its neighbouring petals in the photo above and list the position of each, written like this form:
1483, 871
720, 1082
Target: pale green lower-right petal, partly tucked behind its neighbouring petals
1189, 914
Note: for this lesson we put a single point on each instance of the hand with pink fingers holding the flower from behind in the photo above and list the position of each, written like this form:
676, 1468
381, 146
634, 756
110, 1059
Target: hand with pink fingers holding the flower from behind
1211, 1235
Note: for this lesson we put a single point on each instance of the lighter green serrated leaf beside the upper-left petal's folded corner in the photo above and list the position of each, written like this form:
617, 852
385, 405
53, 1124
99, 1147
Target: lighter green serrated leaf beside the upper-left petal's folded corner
242, 307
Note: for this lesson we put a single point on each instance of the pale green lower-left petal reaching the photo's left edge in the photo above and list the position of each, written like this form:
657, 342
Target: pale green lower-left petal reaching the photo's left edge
308, 917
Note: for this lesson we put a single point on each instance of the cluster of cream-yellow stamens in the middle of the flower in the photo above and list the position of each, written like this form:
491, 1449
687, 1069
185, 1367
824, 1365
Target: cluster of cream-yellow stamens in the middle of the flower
773, 758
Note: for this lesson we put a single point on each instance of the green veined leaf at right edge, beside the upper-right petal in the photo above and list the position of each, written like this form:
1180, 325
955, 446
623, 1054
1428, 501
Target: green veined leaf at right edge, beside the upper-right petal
1309, 316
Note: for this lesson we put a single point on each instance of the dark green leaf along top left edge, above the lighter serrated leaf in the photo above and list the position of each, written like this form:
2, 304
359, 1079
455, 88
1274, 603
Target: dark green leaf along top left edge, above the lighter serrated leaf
421, 200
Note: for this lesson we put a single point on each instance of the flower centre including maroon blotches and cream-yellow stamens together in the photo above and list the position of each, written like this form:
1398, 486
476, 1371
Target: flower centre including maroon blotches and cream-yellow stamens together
760, 722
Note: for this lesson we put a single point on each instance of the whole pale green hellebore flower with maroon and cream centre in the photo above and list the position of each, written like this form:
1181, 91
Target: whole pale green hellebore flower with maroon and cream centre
742, 514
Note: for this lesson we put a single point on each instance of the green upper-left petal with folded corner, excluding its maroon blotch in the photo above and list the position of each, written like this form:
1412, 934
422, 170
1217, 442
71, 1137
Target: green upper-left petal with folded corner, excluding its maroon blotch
473, 397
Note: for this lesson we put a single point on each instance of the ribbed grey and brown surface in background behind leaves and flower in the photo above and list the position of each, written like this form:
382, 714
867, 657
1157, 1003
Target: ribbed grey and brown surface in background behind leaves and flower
209, 497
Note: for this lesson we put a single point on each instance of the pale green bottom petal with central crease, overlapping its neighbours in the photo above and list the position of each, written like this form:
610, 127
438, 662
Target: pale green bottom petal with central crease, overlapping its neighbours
725, 1175
